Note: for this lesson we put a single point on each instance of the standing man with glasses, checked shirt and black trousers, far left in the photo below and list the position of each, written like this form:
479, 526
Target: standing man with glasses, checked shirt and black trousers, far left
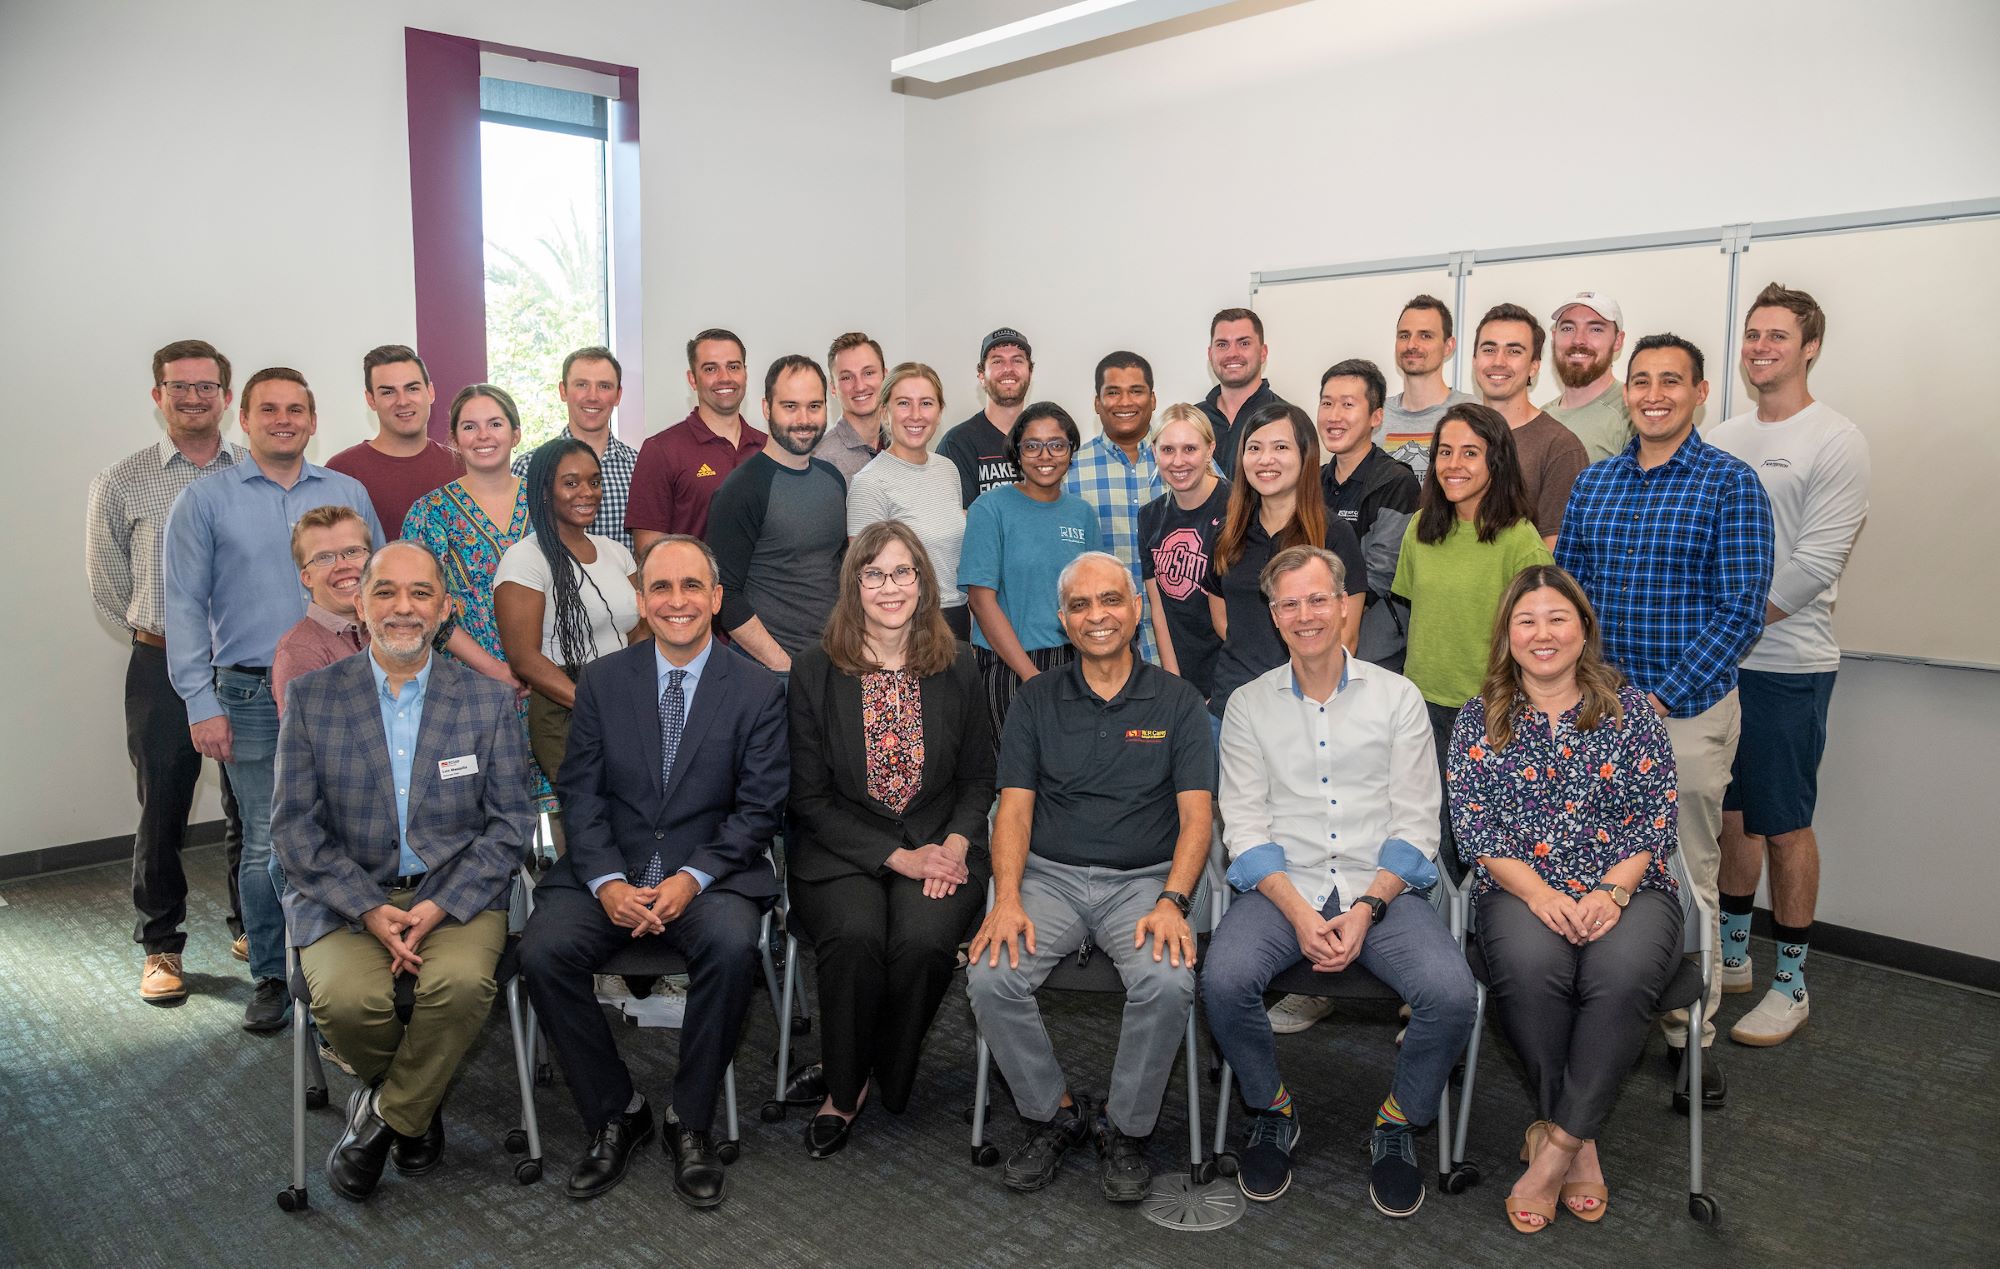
123, 531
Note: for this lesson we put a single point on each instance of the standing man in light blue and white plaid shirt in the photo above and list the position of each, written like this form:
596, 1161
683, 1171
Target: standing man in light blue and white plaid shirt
1117, 473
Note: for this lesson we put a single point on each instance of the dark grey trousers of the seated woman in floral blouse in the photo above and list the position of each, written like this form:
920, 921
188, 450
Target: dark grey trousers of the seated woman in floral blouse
1577, 1016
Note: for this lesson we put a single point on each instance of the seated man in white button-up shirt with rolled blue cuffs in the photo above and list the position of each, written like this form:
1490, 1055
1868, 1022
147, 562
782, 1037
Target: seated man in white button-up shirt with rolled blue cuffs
1331, 818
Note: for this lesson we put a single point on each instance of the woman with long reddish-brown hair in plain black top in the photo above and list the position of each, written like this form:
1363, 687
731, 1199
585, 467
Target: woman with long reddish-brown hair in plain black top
1275, 503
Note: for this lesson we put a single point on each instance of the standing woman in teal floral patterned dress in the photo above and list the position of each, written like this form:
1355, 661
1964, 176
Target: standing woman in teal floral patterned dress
469, 525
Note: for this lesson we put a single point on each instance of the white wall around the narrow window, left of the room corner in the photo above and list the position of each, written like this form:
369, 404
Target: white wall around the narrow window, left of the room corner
239, 173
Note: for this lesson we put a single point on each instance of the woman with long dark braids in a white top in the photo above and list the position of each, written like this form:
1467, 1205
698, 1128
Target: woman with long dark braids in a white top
563, 595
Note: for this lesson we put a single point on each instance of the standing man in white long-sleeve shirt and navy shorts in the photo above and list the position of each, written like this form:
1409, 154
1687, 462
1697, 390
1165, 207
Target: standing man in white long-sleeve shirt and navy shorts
1815, 469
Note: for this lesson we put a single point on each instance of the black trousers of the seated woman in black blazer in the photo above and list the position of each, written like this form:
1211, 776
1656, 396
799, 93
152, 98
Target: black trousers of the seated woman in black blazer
887, 958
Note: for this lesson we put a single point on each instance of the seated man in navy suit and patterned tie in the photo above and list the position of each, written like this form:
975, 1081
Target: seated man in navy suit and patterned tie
671, 794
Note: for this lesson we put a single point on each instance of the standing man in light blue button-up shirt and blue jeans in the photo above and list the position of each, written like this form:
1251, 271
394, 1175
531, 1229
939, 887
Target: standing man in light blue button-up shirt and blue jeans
231, 593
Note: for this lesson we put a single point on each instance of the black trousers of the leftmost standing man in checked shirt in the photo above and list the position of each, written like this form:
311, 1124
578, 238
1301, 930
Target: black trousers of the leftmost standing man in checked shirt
167, 768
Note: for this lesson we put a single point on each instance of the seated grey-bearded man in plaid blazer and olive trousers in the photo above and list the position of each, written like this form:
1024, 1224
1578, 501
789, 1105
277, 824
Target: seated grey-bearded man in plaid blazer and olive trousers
401, 818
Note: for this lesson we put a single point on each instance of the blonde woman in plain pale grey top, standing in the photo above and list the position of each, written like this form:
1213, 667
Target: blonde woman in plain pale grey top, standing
907, 483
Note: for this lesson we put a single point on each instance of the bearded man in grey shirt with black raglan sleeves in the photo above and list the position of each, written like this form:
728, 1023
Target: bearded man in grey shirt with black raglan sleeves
781, 523
